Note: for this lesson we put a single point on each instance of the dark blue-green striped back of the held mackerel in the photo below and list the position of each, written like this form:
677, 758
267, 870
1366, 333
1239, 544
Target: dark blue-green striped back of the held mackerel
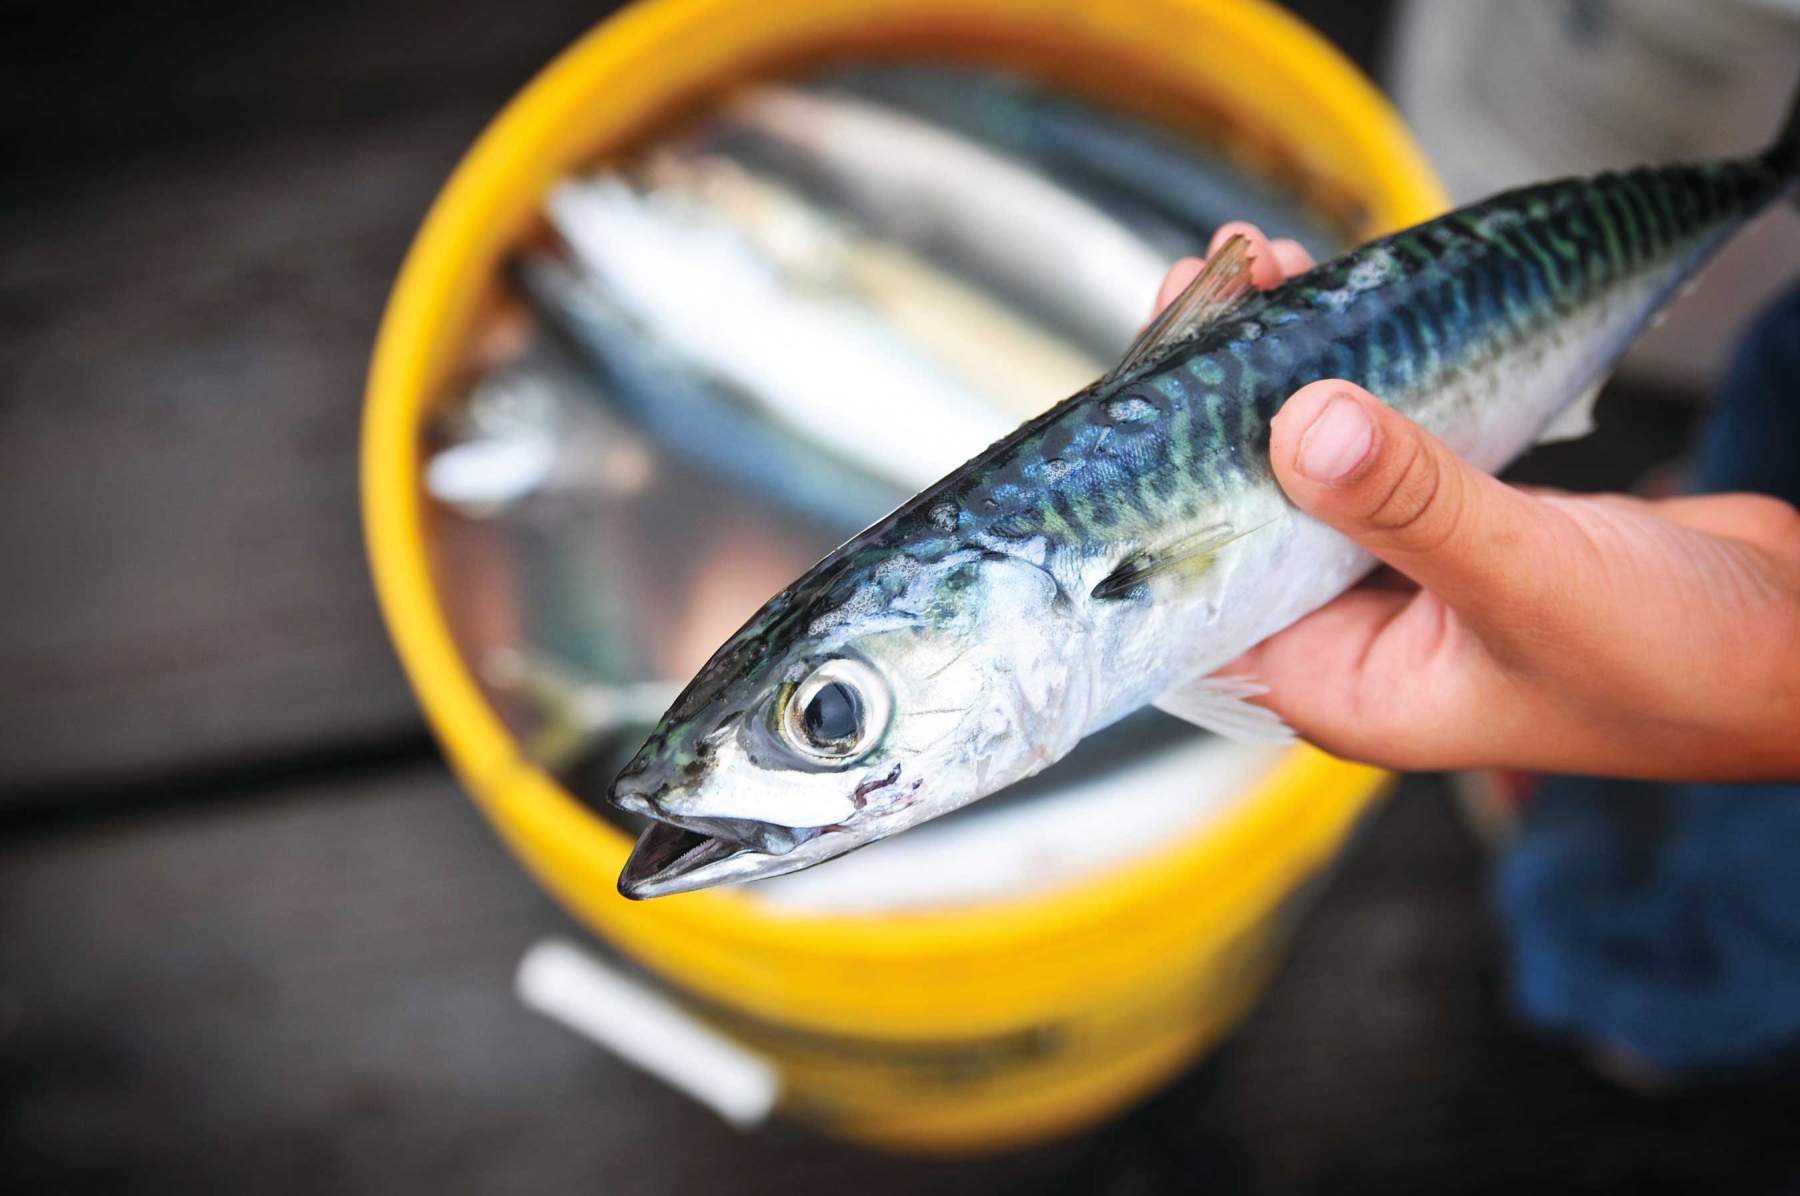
1398, 316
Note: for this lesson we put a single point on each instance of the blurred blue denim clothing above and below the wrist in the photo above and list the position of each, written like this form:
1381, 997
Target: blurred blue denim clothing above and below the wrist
1666, 920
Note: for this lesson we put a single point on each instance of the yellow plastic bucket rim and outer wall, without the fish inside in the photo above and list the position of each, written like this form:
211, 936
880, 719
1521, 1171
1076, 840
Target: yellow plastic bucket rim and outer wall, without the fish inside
962, 1029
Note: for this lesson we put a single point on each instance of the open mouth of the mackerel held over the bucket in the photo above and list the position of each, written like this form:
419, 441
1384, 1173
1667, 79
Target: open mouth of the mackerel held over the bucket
674, 858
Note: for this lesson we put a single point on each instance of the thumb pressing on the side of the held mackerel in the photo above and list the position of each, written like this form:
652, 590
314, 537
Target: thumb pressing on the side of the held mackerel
1362, 467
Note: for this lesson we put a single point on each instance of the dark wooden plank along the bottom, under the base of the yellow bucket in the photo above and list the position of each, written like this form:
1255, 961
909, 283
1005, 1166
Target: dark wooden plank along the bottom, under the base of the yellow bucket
310, 993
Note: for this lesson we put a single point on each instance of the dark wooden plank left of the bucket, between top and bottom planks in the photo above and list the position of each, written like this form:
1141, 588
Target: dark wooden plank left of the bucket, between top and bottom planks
183, 361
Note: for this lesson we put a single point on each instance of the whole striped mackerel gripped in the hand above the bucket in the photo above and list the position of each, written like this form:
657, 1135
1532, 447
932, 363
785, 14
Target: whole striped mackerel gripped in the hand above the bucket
1126, 545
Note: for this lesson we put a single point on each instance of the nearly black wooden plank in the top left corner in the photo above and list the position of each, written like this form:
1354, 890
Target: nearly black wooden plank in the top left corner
91, 86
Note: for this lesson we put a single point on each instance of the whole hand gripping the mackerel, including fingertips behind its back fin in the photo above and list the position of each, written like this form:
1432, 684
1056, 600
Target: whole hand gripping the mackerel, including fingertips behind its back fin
1527, 630
